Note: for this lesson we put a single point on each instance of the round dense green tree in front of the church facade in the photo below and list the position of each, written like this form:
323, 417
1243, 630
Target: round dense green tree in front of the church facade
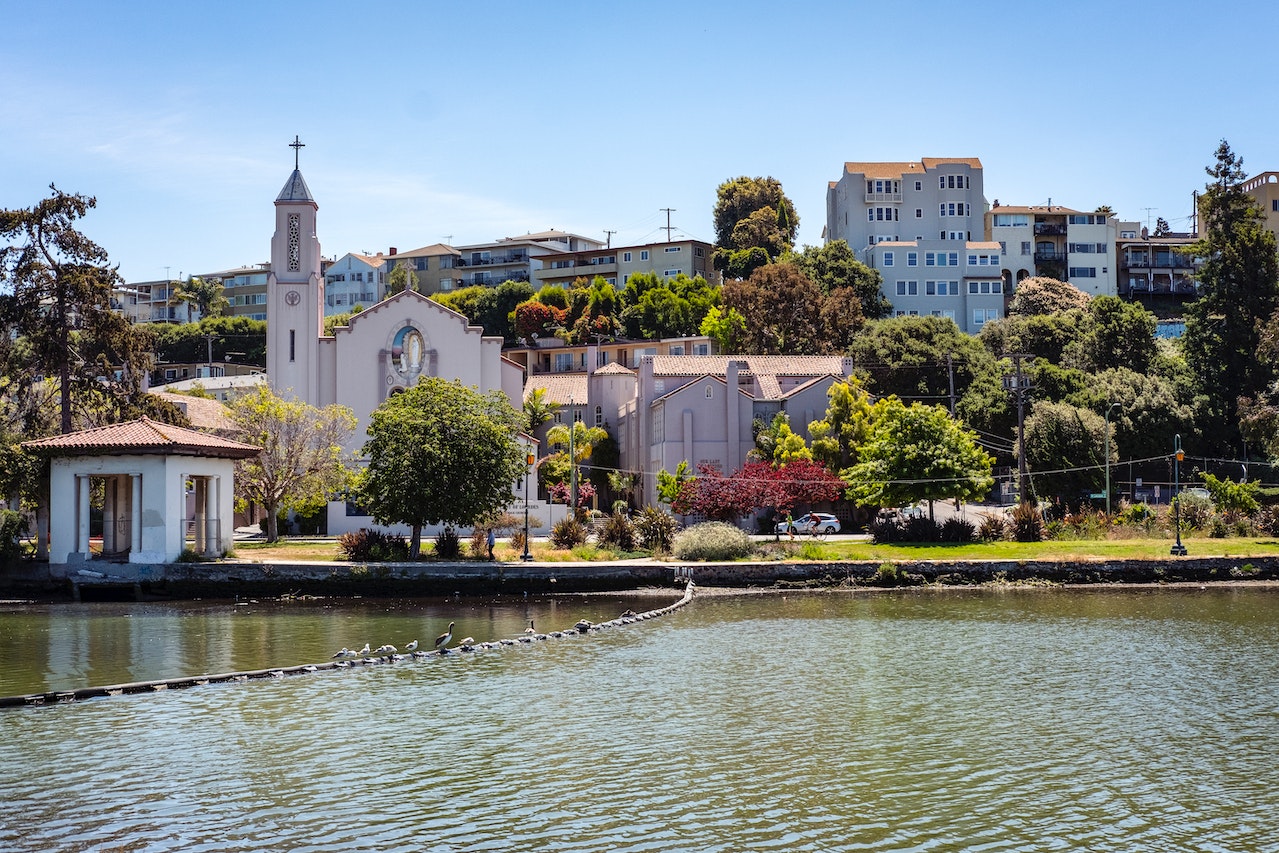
442, 453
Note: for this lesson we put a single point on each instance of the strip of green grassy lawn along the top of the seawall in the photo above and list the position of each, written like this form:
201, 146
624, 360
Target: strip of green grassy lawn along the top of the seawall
1117, 549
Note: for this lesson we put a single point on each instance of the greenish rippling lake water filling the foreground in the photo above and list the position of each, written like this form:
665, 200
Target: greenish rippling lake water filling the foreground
922, 721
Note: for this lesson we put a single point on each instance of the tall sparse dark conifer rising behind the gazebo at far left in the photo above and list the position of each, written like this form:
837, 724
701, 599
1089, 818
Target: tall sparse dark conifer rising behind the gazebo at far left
56, 293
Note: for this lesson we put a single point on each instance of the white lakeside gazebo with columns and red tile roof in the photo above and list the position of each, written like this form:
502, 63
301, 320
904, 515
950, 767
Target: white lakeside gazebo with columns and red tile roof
144, 469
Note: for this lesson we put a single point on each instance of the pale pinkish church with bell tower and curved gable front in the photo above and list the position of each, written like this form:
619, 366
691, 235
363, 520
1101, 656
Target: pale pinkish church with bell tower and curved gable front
383, 351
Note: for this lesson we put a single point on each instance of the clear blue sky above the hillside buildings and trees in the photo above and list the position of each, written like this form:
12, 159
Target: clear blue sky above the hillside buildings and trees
474, 122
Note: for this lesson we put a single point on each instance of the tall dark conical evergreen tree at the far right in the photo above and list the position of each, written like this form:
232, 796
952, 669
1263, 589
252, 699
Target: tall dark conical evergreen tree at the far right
1239, 293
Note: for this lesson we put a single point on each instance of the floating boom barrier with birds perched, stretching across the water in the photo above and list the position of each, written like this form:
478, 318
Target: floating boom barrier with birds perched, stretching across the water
62, 698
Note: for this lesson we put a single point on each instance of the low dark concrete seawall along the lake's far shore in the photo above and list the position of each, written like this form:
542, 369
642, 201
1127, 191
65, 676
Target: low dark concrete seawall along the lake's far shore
228, 580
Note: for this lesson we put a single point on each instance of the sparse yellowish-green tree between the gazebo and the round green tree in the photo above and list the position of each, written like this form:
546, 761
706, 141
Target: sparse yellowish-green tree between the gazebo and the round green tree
301, 464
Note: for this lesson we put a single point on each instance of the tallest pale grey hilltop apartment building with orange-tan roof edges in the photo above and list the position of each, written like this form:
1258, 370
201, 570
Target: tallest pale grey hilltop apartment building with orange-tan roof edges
922, 226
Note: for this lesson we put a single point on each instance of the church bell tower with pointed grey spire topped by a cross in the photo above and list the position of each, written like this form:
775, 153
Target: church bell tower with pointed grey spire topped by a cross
295, 293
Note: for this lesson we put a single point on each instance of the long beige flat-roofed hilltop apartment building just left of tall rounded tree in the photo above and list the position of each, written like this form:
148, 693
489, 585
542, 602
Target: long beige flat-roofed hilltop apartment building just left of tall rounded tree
617, 265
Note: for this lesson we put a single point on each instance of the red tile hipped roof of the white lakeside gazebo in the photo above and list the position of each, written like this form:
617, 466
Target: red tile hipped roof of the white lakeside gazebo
141, 437
